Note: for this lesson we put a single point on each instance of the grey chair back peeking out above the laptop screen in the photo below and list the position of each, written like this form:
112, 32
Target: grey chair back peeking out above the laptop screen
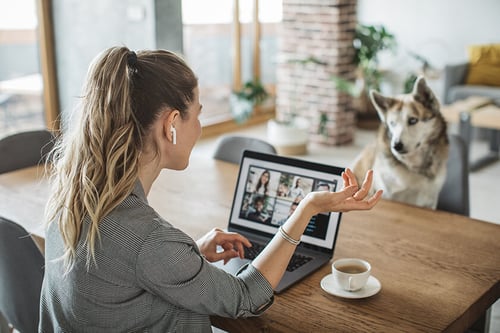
230, 147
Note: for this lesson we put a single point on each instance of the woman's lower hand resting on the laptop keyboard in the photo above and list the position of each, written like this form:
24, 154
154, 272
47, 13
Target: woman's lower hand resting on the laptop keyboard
232, 245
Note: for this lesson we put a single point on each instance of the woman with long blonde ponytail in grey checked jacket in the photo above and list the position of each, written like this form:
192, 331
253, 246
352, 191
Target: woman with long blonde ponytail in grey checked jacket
112, 263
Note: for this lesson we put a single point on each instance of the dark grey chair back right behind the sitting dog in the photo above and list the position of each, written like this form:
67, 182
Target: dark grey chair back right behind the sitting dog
454, 196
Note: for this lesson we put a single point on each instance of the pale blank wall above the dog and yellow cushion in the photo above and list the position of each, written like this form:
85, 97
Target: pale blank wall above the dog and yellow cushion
439, 30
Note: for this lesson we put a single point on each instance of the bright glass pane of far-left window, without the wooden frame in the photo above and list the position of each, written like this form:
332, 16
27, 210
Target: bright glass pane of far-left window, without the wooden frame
21, 102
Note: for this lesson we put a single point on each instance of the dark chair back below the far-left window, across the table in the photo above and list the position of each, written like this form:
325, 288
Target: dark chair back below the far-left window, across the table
25, 149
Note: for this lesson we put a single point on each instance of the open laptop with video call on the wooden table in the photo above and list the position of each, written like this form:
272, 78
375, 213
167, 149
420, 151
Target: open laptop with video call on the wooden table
259, 207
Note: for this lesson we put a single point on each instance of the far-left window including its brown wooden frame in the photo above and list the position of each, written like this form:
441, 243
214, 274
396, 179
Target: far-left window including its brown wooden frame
28, 99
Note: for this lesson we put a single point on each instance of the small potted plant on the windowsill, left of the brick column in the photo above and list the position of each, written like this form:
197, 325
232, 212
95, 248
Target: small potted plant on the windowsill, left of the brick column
244, 100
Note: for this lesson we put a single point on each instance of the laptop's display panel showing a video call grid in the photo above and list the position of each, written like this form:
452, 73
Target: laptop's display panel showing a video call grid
268, 189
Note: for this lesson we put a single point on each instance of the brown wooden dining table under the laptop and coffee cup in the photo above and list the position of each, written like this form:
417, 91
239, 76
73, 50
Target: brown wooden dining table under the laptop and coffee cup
439, 271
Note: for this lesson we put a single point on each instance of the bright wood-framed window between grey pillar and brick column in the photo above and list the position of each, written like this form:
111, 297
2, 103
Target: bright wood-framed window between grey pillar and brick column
220, 45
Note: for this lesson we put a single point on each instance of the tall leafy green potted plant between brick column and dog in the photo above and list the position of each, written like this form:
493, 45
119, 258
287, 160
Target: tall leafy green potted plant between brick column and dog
369, 41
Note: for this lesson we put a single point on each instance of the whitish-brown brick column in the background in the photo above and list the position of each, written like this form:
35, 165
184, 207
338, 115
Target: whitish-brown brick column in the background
322, 29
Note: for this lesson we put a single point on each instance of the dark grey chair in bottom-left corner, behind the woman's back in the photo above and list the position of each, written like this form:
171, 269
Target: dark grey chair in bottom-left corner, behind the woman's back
21, 273
